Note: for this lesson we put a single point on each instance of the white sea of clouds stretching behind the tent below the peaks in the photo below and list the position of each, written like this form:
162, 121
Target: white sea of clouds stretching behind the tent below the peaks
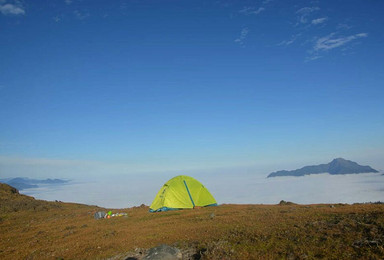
243, 188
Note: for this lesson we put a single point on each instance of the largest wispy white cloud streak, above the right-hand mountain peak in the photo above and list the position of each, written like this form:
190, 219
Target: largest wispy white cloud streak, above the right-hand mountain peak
331, 41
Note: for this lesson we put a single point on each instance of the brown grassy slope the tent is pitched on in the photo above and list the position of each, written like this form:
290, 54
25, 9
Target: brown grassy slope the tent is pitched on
63, 230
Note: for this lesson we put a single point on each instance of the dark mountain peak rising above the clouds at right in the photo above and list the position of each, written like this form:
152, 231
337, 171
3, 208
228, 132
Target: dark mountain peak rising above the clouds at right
335, 167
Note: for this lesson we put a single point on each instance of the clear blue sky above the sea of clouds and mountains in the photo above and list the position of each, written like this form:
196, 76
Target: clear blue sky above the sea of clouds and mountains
182, 85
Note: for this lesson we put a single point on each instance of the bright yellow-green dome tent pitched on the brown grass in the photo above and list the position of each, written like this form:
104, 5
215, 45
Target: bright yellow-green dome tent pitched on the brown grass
182, 192
